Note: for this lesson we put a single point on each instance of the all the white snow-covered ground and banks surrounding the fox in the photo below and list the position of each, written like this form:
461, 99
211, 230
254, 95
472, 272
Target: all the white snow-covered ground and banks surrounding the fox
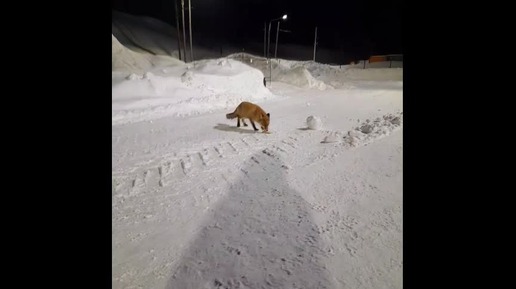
200, 203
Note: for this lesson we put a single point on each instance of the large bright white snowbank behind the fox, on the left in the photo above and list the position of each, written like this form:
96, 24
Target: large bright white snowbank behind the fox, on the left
201, 87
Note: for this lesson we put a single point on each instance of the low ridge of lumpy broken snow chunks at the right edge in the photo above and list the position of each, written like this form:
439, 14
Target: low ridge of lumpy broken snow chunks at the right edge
369, 130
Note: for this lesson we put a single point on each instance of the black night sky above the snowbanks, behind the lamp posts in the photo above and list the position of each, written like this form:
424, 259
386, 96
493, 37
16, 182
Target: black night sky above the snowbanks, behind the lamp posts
359, 27
